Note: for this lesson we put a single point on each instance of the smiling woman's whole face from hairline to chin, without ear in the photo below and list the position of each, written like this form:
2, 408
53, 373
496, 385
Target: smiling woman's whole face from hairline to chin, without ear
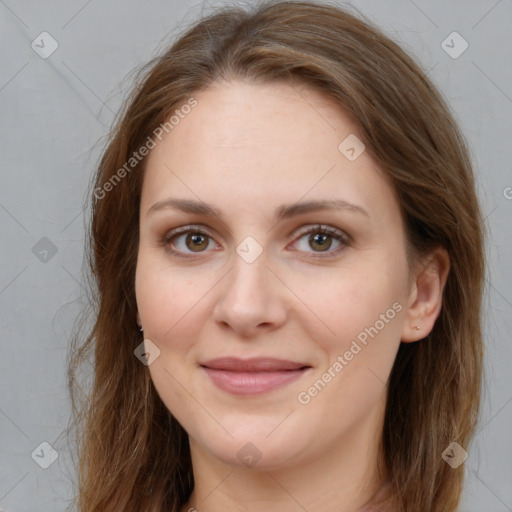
313, 296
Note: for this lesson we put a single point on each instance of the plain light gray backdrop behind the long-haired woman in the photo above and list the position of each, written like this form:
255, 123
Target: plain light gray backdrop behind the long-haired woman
54, 113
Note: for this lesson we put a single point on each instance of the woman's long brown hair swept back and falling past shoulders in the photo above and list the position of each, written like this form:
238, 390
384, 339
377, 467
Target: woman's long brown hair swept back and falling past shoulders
133, 454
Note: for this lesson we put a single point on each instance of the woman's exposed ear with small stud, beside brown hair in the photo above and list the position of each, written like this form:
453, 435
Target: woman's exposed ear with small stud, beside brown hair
426, 296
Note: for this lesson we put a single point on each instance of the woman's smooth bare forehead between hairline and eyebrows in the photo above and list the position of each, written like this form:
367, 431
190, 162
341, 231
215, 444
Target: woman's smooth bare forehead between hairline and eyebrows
276, 142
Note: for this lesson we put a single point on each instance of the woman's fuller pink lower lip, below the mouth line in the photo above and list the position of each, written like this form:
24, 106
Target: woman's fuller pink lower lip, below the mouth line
252, 383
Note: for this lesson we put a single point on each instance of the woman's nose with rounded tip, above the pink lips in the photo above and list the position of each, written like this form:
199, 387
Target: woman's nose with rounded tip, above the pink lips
251, 300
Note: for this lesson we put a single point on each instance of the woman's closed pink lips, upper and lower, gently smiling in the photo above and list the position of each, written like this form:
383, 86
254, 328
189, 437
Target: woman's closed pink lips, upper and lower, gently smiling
252, 376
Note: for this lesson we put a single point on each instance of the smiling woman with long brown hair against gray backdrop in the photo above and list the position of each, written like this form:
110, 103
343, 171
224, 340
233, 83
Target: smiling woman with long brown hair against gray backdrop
286, 210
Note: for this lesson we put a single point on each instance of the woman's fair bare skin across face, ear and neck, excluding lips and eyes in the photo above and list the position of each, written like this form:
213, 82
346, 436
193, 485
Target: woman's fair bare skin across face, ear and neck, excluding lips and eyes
246, 149
